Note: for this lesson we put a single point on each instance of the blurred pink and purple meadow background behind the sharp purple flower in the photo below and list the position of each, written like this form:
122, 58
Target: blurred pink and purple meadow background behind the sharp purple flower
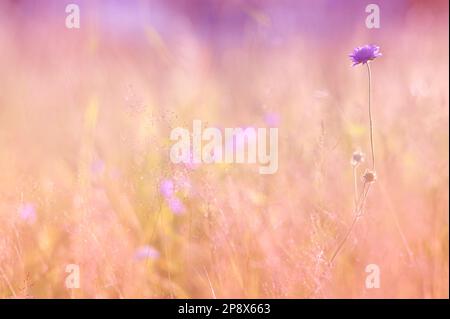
85, 176
